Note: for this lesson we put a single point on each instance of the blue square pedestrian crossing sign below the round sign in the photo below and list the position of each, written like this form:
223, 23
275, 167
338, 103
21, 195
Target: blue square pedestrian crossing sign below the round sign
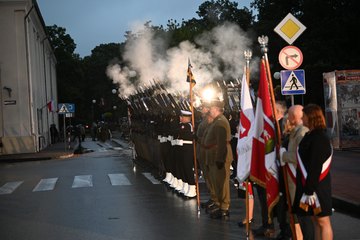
292, 82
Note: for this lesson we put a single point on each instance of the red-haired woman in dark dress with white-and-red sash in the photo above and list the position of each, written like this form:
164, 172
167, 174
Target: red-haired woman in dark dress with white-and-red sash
313, 181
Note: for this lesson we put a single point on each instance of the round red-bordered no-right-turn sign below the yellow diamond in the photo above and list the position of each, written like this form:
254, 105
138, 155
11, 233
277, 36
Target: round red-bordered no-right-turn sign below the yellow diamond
290, 57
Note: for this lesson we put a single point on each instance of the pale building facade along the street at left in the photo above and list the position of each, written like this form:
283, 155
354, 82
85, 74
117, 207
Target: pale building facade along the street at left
27, 79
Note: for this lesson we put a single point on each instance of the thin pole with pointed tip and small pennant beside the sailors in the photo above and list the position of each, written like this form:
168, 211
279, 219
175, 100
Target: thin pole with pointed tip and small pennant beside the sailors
192, 82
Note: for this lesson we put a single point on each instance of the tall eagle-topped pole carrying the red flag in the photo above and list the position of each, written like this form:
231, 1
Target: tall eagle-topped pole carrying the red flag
263, 40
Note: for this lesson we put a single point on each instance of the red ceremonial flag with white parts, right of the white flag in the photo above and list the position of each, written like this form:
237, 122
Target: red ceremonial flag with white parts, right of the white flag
264, 169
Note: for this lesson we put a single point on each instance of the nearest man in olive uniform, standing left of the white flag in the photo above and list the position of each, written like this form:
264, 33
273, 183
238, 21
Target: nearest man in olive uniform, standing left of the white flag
218, 158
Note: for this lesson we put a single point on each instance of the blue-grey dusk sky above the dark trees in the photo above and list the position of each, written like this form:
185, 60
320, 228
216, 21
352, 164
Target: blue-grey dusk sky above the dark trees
94, 22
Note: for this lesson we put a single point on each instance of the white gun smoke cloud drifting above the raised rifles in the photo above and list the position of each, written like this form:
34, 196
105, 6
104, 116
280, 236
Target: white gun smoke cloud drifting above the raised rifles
219, 55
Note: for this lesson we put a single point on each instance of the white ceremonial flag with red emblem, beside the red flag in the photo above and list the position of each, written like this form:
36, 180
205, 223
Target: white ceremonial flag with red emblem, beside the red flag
244, 144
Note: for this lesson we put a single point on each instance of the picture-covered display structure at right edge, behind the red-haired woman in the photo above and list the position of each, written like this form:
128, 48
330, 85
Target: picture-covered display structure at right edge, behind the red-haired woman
342, 107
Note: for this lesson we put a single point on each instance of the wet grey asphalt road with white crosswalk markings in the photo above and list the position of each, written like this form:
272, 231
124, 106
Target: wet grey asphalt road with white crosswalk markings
103, 195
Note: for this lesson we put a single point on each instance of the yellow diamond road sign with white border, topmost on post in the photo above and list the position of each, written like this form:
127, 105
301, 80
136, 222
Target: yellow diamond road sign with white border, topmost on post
290, 28
